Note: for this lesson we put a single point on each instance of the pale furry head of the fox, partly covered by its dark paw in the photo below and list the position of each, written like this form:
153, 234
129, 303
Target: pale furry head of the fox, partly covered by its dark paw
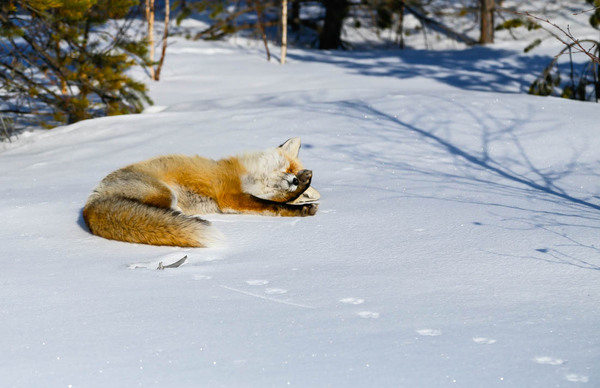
276, 174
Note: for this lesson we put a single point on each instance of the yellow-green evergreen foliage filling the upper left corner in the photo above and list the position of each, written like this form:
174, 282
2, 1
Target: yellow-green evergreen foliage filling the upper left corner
59, 57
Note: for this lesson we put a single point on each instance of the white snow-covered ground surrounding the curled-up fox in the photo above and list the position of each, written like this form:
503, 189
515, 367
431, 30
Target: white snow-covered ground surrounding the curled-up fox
455, 244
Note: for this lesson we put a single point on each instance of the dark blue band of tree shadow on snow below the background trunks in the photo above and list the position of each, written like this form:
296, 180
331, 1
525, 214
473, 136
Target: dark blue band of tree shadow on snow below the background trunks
478, 68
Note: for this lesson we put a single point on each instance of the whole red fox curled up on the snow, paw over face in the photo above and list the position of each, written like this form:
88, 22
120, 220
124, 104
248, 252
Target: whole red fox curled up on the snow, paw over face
158, 201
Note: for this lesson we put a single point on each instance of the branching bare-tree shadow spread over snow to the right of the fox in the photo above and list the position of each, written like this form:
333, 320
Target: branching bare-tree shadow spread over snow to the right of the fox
547, 199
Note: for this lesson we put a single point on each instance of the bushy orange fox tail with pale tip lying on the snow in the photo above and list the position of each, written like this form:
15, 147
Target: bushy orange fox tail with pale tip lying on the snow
124, 219
